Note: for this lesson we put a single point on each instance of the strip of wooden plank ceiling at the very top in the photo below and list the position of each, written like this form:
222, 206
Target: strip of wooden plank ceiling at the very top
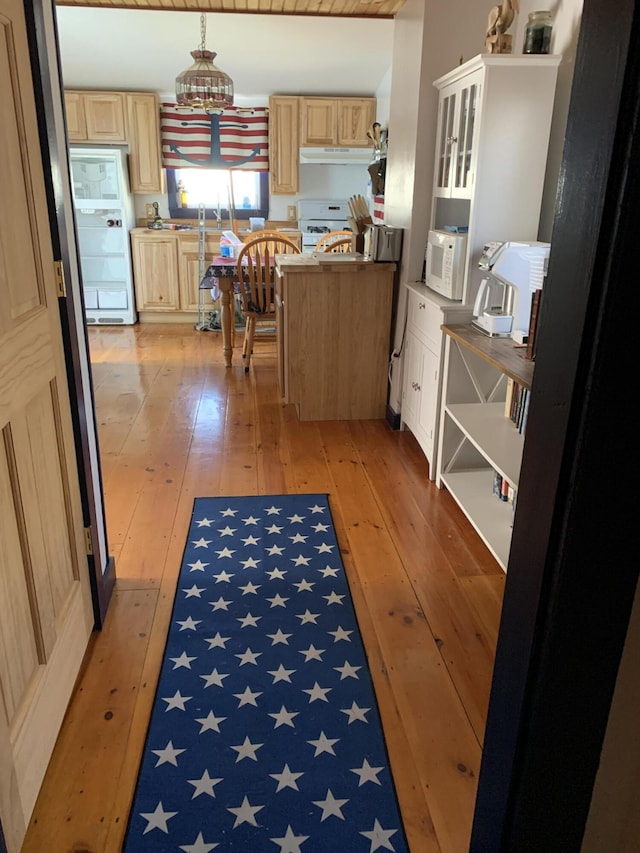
316, 8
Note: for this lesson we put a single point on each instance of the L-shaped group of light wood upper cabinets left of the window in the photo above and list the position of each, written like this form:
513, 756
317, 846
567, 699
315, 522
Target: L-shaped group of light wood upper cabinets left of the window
127, 117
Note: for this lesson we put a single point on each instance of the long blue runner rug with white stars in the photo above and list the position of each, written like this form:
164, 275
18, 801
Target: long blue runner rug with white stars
265, 733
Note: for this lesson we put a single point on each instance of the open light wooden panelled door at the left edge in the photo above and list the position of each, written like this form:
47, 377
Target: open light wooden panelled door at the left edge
46, 613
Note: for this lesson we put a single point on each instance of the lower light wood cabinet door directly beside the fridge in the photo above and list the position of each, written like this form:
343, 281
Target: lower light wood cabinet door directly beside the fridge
155, 270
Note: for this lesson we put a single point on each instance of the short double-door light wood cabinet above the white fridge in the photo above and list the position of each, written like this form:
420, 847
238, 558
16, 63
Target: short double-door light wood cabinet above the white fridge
95, 116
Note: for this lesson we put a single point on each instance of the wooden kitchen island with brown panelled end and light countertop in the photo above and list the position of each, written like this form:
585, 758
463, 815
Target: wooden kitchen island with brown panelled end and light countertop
333, 330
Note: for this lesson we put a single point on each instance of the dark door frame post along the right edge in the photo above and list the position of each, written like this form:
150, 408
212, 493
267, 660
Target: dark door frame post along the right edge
572, 572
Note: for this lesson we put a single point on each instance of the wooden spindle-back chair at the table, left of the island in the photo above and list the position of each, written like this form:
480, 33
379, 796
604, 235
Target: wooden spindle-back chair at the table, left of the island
256, 273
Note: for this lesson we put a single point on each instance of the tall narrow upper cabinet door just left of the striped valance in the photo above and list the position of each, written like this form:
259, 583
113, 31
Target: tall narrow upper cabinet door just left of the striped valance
143, 135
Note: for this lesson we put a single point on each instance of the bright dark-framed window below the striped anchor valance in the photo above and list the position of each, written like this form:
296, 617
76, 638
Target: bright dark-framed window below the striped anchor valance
211, 187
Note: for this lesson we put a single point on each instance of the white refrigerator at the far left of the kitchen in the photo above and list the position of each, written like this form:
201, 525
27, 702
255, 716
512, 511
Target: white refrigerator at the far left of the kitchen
104, 217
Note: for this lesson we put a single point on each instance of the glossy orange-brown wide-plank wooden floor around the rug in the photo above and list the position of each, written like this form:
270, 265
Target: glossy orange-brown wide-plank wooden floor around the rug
175, 424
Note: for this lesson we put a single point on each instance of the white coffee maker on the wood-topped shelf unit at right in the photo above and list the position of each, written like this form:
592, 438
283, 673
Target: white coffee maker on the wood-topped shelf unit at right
503, 304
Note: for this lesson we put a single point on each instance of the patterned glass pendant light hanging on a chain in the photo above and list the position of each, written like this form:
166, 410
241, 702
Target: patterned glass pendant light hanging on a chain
203, 84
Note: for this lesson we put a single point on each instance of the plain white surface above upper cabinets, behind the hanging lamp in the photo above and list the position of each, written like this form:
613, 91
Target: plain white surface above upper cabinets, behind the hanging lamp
141, 49
